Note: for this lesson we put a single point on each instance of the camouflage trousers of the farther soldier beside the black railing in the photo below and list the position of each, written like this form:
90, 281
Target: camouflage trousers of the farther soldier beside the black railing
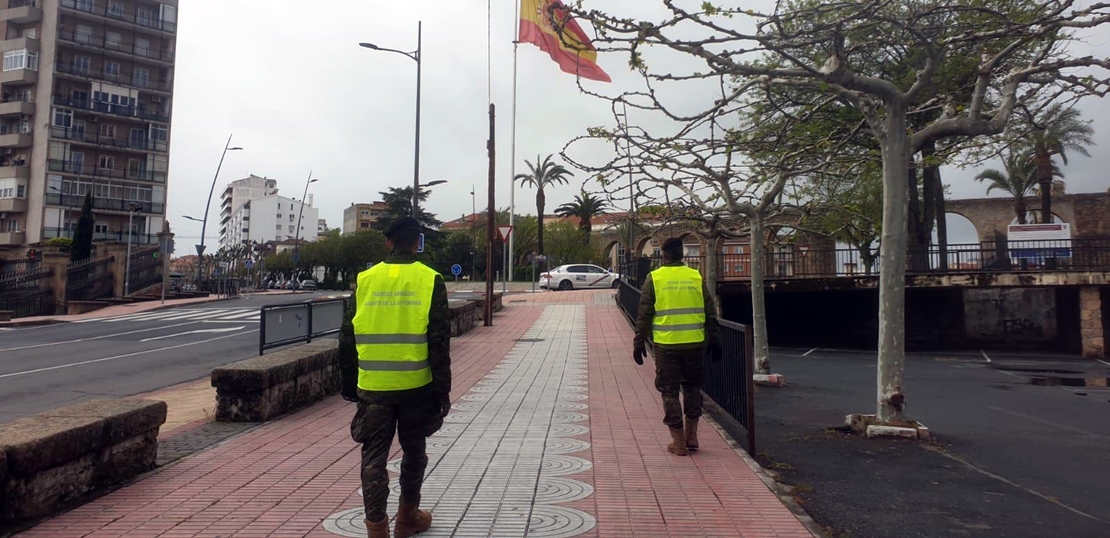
677, 370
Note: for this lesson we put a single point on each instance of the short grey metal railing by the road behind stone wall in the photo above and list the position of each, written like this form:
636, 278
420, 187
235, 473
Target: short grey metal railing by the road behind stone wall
292, 323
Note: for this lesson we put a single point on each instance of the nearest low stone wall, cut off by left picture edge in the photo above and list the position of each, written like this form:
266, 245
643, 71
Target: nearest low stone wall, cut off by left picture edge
49, 460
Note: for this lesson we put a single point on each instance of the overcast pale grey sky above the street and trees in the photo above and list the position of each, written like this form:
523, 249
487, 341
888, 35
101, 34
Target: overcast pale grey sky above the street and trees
291, 83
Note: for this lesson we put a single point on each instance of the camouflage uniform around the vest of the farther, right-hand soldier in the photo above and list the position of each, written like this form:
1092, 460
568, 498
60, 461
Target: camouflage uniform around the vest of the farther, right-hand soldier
678, 367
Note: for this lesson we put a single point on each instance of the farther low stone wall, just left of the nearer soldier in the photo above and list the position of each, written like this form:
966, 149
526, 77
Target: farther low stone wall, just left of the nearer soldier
260, 389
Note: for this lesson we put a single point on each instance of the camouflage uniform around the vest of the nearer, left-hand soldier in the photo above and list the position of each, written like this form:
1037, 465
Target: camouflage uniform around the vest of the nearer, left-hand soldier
413, 413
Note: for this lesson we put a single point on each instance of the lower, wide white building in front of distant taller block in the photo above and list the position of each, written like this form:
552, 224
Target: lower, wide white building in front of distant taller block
273, 218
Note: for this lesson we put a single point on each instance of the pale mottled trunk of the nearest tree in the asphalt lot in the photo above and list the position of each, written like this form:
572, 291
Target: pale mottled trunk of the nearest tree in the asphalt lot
893, 267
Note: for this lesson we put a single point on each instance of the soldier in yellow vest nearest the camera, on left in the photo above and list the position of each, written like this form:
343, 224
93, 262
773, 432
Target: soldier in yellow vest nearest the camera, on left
396, 363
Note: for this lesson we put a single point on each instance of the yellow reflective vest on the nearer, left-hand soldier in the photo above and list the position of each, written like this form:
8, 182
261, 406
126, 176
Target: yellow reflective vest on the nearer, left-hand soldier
391, 327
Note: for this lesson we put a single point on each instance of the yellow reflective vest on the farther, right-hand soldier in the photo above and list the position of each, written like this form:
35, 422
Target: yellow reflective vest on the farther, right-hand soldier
680, 307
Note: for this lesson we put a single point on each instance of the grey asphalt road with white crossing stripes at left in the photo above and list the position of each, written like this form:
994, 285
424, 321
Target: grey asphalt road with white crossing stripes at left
52, 367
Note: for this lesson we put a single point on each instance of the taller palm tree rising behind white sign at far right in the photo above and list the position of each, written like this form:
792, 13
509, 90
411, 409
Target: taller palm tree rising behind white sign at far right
1058, 131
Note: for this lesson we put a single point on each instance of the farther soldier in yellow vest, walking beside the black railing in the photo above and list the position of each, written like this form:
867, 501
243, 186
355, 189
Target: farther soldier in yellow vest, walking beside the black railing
678, 314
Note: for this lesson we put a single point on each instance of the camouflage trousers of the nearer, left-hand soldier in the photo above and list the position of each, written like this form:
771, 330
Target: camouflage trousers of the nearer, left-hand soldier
374, 427
